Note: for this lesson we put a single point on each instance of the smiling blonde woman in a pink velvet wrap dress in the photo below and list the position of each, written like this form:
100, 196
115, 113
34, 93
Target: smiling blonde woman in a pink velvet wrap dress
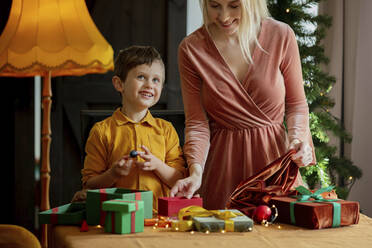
240, 75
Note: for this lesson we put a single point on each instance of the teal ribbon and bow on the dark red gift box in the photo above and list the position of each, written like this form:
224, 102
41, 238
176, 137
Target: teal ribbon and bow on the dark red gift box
306, 195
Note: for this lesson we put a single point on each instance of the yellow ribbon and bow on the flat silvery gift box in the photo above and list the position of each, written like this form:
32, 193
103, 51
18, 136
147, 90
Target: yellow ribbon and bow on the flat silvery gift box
196, 211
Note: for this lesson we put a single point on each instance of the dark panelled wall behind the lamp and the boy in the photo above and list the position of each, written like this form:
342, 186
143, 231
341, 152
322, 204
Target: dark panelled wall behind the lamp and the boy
161, 23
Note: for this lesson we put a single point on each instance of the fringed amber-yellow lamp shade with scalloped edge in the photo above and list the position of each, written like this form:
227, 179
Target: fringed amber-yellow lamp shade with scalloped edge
56, 36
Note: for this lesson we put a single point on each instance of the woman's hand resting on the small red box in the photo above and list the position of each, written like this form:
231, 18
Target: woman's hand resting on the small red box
188, 186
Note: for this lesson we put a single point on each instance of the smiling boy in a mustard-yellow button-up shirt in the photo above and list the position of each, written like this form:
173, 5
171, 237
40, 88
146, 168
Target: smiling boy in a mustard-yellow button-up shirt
139, 77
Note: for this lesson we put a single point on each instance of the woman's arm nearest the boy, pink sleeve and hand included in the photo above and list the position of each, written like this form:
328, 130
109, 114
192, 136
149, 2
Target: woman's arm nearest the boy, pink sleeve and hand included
197, 133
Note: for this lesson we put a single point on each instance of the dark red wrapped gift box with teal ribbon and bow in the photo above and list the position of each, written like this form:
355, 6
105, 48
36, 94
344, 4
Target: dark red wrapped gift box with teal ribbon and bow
309, 209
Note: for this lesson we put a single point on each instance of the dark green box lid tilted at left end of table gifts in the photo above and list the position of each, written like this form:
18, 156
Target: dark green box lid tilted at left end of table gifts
69, 214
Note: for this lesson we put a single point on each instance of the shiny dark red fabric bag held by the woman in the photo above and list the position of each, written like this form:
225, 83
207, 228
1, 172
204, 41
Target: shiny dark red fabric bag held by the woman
276, 179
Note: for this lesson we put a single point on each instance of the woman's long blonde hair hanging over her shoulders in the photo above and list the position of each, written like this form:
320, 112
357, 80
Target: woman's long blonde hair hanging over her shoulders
253, 12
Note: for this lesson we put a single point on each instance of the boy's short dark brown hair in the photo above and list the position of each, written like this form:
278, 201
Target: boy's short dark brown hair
133, 56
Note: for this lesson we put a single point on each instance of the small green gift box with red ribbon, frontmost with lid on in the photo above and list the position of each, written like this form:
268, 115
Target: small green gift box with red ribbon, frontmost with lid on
124, 216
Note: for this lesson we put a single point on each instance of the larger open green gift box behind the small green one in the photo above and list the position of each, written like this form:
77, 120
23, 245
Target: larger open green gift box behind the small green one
95, 198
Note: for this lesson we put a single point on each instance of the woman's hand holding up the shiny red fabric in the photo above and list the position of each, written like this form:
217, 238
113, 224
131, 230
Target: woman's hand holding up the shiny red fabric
304, 152
